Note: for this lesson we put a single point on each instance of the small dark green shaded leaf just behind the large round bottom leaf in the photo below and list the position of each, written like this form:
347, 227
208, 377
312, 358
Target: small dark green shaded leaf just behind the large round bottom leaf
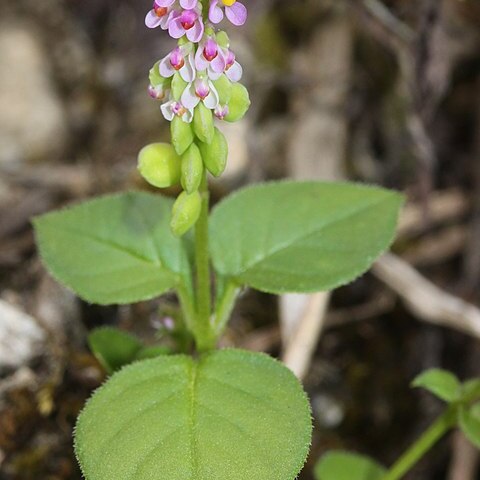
113, 347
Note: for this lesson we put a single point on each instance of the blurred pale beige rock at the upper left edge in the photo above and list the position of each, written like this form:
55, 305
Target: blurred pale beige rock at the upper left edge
32, 119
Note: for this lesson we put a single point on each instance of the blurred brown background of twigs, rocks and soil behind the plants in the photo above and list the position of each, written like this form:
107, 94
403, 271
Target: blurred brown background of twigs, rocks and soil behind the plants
383, 92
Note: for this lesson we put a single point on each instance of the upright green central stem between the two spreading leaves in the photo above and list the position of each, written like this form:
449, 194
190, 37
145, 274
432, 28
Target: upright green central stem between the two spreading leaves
203, 330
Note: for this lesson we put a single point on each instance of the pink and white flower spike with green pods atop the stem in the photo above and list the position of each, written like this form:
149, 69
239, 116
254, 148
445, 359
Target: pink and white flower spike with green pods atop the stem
197, 84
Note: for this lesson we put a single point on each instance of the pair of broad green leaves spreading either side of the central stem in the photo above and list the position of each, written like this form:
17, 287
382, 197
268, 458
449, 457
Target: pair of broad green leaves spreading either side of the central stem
277, 237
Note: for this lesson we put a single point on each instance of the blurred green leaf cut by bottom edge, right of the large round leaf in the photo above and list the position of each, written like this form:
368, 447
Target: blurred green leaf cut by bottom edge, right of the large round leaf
348, 466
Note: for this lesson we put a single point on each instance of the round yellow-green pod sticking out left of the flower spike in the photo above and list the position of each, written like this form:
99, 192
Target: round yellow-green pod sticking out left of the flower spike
159, 165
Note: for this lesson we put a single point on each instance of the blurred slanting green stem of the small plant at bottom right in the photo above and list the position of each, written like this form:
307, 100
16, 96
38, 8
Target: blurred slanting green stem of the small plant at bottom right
431, 436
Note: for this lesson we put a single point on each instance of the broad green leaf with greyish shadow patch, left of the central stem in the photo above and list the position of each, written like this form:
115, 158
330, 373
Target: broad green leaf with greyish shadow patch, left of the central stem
115, 249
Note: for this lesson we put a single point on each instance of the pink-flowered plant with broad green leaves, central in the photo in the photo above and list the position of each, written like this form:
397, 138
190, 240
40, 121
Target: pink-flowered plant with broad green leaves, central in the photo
193, 411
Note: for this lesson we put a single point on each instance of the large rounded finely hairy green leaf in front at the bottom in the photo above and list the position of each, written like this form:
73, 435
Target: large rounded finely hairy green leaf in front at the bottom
231, 414
